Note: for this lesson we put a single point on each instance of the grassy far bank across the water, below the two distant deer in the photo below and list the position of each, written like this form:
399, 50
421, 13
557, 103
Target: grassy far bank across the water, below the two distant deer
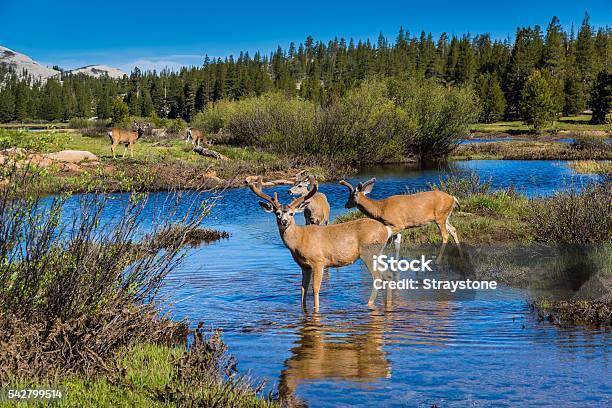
158, 164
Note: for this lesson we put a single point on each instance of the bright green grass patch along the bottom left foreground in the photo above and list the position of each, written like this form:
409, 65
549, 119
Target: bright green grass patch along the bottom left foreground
148, 375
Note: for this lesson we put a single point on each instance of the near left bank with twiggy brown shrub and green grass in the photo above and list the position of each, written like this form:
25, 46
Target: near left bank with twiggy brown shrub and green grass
78, 303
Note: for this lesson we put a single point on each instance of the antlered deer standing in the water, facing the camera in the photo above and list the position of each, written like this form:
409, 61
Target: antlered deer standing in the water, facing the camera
315, 247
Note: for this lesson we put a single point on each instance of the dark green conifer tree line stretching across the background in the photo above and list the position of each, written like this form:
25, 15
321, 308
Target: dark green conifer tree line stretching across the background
553, 68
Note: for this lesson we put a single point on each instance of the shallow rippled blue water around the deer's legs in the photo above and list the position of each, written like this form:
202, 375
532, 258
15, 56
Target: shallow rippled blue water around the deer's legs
491, 351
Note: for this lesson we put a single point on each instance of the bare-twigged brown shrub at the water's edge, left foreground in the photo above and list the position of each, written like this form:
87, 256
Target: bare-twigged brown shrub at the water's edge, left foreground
72, 293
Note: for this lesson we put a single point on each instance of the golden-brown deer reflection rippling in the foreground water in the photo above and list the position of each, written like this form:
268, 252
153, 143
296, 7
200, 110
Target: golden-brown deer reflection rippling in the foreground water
336, 346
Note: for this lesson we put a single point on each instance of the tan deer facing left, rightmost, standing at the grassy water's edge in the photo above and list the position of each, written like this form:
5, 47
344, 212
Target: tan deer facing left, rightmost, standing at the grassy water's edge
405, 211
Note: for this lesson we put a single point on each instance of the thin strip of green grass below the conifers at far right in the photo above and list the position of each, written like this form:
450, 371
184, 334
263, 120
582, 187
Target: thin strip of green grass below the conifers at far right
573, 123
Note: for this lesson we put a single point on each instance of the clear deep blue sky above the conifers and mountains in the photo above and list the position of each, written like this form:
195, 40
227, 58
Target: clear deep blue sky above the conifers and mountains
153, 34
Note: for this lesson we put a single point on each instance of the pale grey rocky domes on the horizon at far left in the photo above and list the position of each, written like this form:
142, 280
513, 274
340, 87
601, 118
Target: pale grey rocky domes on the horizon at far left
21, 63
